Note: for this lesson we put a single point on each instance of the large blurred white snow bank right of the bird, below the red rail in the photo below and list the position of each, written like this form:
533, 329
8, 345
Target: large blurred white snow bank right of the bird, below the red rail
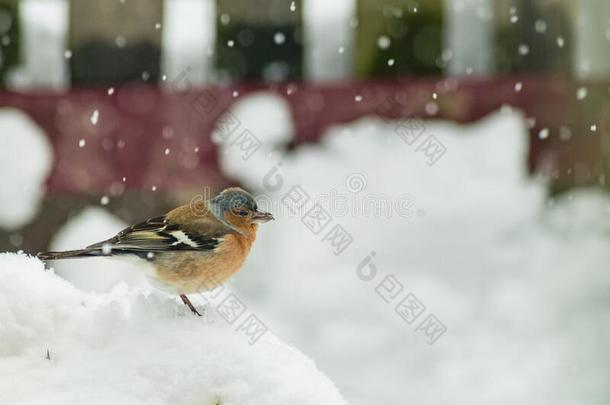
519, 281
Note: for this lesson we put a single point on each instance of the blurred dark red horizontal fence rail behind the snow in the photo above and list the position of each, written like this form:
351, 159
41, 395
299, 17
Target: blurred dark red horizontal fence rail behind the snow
137, 123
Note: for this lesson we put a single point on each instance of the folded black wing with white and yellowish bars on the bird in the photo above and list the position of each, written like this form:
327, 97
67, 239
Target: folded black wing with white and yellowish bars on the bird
159, 234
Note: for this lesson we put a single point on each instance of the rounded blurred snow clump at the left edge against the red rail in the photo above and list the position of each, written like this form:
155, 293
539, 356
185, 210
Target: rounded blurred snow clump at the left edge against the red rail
25, 162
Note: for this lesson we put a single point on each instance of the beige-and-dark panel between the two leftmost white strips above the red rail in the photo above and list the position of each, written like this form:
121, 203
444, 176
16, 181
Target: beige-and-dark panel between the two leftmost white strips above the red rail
115, 42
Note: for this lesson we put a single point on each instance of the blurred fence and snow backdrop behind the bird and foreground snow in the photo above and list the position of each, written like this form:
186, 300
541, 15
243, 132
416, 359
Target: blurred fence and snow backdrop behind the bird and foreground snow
468, 139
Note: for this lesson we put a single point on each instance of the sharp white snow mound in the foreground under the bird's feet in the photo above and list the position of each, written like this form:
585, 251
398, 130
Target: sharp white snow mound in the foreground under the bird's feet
133, 348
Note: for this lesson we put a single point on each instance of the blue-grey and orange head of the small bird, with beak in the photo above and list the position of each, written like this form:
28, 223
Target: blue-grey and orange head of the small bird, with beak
237, 209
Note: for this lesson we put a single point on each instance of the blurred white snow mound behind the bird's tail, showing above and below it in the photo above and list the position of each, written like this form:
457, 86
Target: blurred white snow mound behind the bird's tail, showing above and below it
97, 274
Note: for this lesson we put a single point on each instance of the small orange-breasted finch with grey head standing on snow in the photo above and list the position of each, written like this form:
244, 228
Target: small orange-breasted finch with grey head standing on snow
193, 248
